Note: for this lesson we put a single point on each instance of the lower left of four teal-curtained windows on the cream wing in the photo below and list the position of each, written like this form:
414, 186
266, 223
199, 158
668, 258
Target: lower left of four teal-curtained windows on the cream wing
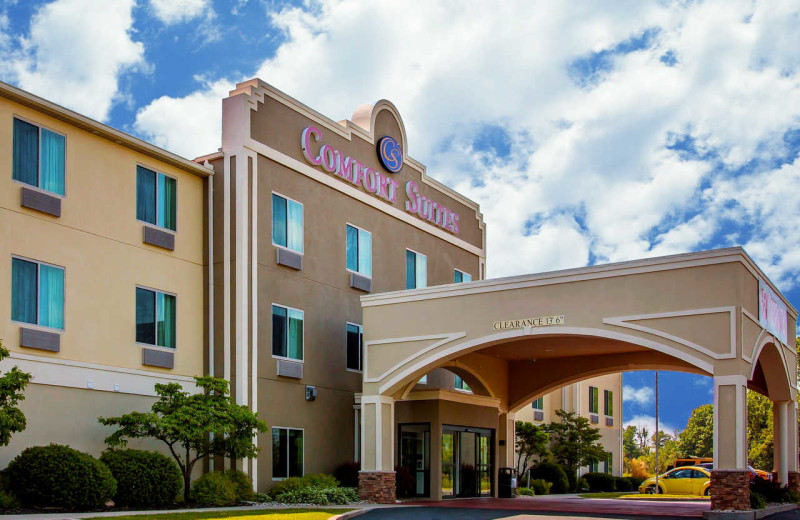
37, 293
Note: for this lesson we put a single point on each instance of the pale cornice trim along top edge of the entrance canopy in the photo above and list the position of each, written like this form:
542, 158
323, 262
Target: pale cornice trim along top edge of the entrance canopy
732, 254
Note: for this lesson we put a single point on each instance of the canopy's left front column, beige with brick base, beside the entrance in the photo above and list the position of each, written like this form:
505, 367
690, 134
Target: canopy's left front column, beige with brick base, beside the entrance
376, 481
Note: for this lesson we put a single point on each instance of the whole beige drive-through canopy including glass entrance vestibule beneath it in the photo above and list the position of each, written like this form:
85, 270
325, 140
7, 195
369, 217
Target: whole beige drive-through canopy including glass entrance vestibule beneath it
514, 339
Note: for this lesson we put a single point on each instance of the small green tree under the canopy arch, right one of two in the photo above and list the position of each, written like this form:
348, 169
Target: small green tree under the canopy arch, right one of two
575, 441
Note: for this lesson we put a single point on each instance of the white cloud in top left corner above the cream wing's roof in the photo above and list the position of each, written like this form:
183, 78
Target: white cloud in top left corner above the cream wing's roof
74, 54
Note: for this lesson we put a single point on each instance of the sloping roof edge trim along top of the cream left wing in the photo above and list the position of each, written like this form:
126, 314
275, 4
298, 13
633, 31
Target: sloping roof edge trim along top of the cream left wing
95, 127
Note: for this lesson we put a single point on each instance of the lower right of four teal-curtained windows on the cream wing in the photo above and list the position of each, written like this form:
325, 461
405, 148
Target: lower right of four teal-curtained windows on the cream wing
155, 318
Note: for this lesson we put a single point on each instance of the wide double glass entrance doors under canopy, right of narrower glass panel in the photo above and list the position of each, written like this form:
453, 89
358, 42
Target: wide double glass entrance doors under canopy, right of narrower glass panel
467, 467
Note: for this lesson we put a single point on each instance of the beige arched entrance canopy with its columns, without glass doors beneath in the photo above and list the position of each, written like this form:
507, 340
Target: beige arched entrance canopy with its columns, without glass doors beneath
519, 337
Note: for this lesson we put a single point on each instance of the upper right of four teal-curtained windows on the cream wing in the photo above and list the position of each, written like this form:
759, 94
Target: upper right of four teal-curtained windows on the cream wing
156, 198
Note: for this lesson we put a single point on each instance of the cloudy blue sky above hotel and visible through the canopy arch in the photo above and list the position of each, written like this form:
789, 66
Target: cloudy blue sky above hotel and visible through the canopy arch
588, 132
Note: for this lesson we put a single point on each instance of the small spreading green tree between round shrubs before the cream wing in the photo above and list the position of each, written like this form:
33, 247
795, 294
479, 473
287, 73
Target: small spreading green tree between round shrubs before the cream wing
193, 426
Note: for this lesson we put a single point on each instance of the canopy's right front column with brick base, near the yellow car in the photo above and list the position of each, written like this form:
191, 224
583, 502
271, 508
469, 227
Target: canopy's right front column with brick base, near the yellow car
730, 480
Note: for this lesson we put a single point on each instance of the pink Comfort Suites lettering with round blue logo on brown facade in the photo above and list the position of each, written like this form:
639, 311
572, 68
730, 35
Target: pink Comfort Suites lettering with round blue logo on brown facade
373, 180
